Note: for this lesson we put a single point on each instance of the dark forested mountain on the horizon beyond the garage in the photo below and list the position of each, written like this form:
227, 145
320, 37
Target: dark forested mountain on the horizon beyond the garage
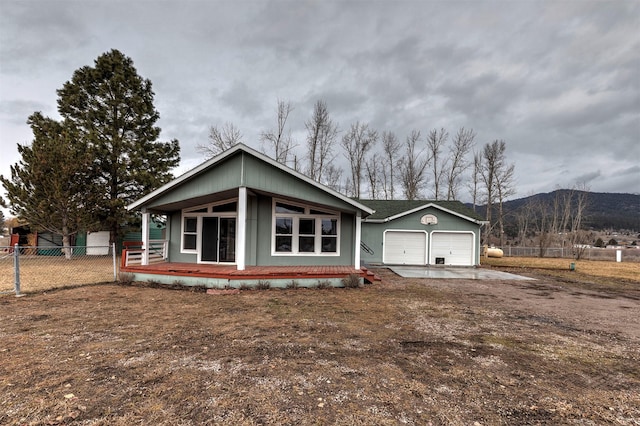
604, 210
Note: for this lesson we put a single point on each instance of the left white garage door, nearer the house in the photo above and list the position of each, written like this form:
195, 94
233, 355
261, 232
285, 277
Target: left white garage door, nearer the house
405, 248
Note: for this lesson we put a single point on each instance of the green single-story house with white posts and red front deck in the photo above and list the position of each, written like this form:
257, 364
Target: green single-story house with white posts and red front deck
242, 217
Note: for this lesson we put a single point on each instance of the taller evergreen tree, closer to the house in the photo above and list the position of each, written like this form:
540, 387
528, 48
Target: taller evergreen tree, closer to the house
112, 109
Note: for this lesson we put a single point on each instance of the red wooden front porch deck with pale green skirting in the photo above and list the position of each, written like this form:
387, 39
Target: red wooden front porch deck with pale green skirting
228, 276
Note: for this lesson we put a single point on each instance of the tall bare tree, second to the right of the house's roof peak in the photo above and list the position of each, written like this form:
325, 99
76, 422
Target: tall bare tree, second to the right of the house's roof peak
322, 133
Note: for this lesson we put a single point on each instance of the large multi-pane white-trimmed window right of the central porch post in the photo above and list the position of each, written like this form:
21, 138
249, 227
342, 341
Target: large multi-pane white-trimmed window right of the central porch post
303, 230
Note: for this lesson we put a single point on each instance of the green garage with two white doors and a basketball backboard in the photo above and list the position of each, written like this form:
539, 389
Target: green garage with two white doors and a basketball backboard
420, 232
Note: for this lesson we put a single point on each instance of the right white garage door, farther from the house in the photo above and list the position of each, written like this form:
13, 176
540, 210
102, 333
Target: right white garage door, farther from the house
451, 248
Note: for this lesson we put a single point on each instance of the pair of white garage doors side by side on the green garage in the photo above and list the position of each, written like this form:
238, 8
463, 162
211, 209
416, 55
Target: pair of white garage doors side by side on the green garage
409, 247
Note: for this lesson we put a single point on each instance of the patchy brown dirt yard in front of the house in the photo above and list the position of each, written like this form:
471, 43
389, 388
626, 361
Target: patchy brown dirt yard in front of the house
557, 350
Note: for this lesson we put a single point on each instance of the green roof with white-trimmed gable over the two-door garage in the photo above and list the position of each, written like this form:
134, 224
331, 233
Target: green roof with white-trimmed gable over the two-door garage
386, 210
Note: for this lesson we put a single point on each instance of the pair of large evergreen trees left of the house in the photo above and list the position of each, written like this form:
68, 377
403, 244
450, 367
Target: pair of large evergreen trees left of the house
79, 173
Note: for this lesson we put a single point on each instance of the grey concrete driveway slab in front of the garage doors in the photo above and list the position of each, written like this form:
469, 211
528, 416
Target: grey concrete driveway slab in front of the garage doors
452, 272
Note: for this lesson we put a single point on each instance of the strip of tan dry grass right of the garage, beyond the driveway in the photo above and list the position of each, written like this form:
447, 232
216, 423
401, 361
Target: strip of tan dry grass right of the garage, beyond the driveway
610, 270
